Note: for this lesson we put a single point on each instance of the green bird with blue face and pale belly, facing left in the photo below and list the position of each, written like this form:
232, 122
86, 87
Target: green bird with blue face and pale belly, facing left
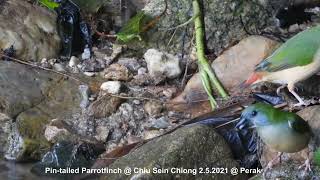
280, 130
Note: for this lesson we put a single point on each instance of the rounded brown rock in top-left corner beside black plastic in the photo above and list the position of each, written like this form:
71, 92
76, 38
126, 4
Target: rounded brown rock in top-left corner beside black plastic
30, 29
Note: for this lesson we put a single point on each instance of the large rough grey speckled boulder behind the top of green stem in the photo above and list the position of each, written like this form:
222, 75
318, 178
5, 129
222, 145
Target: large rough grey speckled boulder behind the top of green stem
226, 22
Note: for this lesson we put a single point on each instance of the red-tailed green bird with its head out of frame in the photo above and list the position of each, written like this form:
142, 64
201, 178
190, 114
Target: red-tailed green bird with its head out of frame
295, 60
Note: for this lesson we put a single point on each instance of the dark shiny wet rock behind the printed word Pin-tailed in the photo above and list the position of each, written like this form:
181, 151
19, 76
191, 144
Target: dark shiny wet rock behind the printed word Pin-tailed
68, 155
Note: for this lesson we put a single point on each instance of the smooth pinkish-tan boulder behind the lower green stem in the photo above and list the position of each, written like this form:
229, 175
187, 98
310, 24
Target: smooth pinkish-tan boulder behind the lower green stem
232, 68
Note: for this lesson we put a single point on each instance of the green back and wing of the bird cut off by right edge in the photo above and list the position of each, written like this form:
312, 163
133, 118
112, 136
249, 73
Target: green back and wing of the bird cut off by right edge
297, 51
